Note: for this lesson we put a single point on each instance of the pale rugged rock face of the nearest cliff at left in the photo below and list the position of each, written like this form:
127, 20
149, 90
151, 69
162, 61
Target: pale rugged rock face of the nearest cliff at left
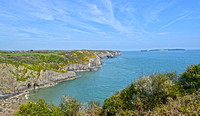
10, 75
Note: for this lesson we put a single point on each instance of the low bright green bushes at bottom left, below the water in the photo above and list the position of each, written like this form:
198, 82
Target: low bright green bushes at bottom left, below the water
68, 107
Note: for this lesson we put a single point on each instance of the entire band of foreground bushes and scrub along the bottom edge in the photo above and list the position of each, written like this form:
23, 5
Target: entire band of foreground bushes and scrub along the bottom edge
157, 94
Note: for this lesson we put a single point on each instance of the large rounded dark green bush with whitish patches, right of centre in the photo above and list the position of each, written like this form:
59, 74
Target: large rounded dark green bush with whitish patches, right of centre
142, 95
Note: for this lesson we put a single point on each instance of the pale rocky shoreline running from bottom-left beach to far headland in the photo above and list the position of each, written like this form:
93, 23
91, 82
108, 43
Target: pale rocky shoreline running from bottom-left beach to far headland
11, 104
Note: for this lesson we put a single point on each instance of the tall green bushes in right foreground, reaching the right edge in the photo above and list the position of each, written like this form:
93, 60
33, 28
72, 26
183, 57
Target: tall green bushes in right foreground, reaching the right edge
151, 94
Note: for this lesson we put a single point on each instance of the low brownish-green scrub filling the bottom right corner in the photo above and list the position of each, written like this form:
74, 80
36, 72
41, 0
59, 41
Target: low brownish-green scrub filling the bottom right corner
188, 105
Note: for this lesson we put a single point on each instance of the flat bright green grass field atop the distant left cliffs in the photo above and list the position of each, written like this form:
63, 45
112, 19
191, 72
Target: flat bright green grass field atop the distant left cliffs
26, 54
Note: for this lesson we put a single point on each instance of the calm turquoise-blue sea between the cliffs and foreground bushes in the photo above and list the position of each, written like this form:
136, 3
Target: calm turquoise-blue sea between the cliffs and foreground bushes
116, 74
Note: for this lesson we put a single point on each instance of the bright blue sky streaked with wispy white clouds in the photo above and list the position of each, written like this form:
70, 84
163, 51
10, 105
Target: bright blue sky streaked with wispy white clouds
99, 24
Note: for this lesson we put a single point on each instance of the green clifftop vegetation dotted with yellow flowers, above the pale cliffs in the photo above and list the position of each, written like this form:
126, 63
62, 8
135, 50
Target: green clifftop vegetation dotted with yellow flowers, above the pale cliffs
42, 60
